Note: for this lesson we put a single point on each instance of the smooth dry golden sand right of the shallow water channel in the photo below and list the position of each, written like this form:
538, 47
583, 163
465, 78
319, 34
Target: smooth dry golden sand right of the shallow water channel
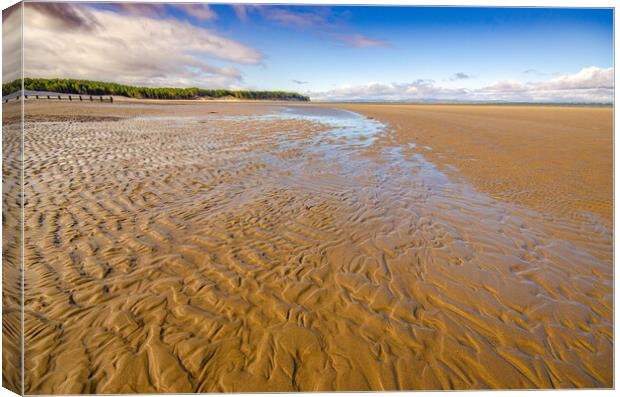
558, 160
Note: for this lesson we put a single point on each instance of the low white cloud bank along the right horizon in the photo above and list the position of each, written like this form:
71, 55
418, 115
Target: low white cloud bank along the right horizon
590, 84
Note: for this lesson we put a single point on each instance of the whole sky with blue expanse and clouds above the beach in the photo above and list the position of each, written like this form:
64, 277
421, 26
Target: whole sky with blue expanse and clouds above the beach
328, 52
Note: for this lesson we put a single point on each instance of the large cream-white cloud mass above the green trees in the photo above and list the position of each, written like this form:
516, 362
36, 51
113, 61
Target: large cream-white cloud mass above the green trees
134, 49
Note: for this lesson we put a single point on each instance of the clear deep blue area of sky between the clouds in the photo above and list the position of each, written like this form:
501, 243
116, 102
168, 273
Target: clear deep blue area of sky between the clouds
488, 44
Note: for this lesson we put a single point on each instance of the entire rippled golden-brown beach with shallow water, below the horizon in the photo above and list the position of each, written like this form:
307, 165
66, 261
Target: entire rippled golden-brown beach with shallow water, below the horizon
256, 247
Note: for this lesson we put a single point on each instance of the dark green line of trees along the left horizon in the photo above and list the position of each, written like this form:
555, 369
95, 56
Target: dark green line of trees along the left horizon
89, 87
